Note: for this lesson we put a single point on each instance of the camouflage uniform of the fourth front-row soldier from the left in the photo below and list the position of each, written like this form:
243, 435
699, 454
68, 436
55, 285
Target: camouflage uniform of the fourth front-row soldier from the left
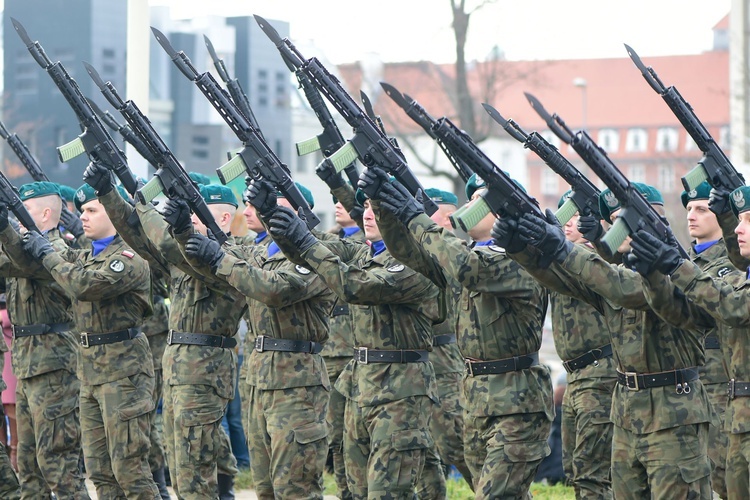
288, 389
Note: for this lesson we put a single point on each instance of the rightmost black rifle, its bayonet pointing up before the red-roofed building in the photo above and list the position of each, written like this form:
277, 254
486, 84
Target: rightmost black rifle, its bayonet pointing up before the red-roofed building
714, 167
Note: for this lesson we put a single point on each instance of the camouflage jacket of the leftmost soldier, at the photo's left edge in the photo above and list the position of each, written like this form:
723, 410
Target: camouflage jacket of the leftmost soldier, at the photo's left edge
33, 298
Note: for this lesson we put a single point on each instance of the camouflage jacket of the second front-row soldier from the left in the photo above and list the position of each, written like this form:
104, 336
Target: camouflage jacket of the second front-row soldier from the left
110, 291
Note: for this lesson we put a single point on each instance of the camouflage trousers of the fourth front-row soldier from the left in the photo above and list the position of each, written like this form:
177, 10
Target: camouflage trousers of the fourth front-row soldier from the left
288, 441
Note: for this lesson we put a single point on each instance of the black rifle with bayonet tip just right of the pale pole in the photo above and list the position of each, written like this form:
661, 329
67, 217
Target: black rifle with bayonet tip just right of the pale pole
256, 157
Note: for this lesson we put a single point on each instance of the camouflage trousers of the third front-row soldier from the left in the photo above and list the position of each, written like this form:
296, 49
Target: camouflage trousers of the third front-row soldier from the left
195, 439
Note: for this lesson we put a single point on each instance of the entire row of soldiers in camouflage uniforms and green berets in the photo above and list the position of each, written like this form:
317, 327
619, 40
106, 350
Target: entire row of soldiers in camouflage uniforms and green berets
431, 344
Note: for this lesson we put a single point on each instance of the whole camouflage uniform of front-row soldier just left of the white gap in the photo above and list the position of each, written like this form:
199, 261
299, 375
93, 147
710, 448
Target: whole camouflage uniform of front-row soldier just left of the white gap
507, 416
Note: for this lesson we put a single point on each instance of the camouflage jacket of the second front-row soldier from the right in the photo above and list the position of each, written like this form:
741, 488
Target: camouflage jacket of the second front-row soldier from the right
642, 342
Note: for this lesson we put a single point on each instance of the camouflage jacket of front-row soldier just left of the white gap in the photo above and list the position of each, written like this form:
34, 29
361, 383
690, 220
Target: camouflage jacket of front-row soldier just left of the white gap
500, 313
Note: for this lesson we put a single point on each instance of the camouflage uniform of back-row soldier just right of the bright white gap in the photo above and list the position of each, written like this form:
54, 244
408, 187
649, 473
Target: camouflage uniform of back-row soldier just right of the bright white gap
582, 336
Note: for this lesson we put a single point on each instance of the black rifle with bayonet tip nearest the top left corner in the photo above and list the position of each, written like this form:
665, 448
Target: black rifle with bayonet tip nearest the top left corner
95, 141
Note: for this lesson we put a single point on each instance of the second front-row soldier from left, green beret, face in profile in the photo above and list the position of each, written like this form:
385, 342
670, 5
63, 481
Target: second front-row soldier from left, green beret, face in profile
111, 295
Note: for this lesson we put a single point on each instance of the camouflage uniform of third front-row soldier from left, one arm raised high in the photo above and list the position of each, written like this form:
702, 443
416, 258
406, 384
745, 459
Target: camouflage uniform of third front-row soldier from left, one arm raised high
198, 380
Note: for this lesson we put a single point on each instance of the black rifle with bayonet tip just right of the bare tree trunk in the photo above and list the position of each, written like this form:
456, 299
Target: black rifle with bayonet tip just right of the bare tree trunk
584, 197
